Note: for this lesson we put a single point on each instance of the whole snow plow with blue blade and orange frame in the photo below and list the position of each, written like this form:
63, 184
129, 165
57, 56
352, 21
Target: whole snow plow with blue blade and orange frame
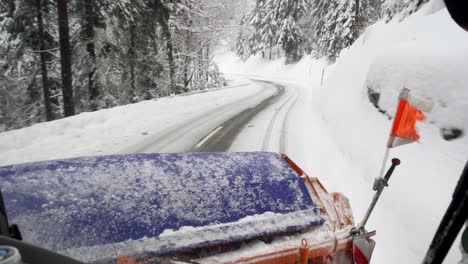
254, 207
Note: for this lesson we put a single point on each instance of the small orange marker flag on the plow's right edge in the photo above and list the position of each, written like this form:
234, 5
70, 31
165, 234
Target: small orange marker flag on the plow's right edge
410, 110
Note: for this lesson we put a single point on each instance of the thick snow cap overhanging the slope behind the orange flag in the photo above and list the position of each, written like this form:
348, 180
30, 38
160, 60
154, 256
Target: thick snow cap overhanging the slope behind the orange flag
431, 63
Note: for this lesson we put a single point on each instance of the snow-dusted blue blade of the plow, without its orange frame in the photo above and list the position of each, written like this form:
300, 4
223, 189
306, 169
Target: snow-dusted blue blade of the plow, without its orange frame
94, 208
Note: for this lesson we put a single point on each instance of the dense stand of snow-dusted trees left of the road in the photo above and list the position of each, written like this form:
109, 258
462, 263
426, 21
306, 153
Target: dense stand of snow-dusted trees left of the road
119, 52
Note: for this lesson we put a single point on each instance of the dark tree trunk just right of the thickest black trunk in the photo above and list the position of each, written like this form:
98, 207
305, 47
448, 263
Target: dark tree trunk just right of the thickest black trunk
90, 17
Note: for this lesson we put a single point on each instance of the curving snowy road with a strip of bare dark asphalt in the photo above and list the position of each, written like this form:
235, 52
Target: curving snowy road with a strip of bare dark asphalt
254, 122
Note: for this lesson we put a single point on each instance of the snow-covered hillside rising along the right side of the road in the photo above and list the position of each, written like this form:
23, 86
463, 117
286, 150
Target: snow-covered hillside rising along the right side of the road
427, 53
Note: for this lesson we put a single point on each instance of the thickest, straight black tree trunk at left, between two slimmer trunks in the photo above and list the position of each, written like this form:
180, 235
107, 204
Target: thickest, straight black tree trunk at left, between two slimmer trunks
65, 58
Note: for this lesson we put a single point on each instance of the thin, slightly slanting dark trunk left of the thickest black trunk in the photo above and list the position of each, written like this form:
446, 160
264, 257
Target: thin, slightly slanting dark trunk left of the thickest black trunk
45, 86
